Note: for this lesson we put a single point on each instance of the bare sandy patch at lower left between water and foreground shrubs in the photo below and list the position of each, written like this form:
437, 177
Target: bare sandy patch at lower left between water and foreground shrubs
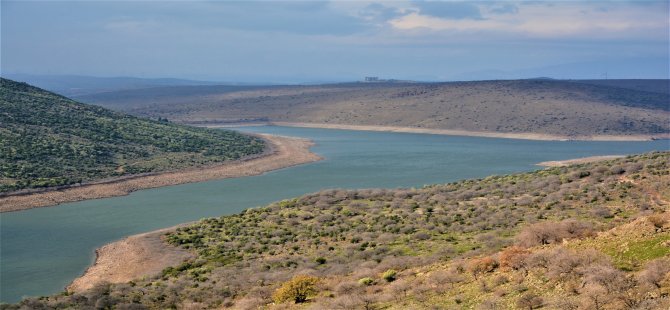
134, 257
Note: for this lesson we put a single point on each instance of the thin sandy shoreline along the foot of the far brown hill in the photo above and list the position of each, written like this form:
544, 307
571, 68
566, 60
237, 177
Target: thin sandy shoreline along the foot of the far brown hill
450, 132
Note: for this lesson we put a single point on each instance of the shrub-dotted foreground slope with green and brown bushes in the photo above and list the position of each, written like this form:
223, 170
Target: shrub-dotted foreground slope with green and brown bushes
417, 248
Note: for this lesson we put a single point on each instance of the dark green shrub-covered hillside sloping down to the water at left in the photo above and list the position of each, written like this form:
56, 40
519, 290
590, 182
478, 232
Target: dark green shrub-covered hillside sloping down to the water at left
49, 140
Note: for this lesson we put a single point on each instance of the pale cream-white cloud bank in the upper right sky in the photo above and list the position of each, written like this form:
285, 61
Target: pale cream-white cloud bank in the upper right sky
559, 20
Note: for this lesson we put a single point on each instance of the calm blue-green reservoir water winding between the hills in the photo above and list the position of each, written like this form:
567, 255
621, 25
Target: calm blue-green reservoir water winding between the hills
42, 250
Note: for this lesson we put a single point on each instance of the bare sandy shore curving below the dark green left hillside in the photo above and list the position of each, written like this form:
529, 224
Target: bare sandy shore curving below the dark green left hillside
285, 152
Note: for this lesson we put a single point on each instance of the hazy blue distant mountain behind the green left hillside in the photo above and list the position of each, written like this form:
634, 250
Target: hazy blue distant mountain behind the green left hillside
75, 85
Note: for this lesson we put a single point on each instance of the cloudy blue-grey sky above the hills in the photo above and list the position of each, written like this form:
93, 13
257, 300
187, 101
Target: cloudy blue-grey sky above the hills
330, 41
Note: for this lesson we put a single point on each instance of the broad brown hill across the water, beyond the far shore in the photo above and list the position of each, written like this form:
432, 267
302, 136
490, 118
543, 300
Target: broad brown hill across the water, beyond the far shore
553, 107
